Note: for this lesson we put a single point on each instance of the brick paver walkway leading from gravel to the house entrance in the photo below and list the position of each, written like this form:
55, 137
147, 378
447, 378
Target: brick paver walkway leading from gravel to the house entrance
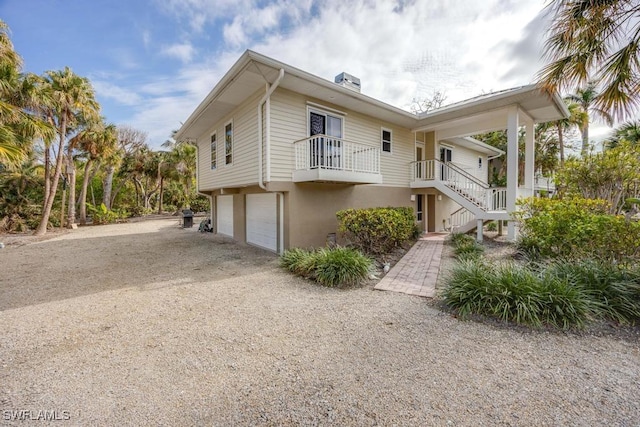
416, 273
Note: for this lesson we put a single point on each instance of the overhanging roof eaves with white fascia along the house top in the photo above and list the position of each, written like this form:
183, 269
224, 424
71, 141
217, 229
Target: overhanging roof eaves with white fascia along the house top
253, 71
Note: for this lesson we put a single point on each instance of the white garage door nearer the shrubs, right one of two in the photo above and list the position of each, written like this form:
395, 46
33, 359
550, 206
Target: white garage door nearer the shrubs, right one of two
262, 221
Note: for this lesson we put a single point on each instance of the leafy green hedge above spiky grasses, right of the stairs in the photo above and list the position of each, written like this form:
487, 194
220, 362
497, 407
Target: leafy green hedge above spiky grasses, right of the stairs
577, 228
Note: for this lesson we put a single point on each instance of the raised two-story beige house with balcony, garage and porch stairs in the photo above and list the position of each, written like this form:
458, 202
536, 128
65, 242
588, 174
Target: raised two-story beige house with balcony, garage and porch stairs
281, 150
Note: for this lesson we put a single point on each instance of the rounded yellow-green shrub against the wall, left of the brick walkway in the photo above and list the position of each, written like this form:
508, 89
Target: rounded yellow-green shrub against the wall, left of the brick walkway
377, 230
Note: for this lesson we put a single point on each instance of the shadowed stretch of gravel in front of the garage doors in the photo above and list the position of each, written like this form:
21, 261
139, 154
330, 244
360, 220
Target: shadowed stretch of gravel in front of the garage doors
71, 267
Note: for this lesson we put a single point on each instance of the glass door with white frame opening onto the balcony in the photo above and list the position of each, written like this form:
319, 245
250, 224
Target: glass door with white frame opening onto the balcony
326, 151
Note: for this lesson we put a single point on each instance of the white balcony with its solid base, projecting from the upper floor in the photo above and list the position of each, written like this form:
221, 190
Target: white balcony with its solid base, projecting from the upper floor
323, 158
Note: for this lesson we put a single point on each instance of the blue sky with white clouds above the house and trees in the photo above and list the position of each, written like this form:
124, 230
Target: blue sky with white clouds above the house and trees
153, 61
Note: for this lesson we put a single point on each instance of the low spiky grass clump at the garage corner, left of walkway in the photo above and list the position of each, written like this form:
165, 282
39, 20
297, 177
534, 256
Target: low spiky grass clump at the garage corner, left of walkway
332, 267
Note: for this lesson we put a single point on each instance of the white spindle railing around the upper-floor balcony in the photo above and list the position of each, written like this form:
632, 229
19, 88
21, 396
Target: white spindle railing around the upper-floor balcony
327, 152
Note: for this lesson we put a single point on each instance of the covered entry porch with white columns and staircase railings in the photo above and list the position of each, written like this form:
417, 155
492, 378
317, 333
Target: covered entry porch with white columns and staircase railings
510, 110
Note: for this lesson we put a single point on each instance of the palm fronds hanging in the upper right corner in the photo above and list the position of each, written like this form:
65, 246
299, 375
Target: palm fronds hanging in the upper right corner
599, 42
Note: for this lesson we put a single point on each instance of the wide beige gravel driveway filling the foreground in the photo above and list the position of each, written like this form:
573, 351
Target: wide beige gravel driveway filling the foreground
149, 324
